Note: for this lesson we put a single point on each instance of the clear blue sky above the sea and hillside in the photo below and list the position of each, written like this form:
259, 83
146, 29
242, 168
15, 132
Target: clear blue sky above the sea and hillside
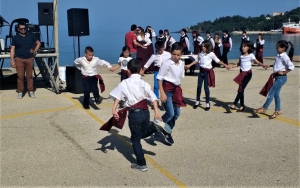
118, 15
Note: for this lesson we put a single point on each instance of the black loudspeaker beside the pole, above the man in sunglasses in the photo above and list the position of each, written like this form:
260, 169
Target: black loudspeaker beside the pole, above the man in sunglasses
45, 13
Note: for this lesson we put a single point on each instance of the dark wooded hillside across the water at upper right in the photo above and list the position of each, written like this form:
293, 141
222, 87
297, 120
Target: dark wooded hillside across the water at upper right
239, 23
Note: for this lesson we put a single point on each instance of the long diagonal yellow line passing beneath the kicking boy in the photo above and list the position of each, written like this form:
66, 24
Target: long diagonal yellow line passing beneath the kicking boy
161, 169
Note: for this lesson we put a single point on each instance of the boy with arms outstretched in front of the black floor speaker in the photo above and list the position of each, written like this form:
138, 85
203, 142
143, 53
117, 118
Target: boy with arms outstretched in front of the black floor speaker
88, 66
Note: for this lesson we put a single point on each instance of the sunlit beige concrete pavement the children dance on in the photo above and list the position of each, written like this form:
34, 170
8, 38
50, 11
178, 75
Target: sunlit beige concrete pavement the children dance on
51, 141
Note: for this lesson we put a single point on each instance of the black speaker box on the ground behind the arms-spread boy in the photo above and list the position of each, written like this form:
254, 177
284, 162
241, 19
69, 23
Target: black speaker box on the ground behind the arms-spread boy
73, 80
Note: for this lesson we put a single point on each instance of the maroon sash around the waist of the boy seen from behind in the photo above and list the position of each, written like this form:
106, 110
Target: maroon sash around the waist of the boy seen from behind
122, 116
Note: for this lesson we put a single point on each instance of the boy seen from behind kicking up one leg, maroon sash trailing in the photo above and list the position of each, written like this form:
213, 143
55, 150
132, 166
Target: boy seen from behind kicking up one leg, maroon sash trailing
136, 91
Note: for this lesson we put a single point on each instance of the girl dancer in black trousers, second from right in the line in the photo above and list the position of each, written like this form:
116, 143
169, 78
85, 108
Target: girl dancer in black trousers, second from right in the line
245, 75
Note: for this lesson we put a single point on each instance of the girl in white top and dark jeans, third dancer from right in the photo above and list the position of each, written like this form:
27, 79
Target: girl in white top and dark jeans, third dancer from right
206, 73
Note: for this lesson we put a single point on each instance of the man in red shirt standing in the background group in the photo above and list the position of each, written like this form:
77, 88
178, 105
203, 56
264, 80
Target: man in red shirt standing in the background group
130, 41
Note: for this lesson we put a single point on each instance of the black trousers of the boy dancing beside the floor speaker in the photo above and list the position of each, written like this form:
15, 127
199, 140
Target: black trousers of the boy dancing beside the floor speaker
90, 84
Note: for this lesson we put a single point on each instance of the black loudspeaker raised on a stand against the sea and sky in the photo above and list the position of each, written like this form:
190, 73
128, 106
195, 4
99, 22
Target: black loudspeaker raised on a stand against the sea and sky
78, 22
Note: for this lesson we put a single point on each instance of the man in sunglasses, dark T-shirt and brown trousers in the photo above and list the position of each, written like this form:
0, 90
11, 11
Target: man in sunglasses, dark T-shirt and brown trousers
23, 47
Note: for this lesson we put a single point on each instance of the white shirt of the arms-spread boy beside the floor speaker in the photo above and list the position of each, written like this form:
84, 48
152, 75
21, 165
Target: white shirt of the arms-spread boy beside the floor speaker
89, 68
